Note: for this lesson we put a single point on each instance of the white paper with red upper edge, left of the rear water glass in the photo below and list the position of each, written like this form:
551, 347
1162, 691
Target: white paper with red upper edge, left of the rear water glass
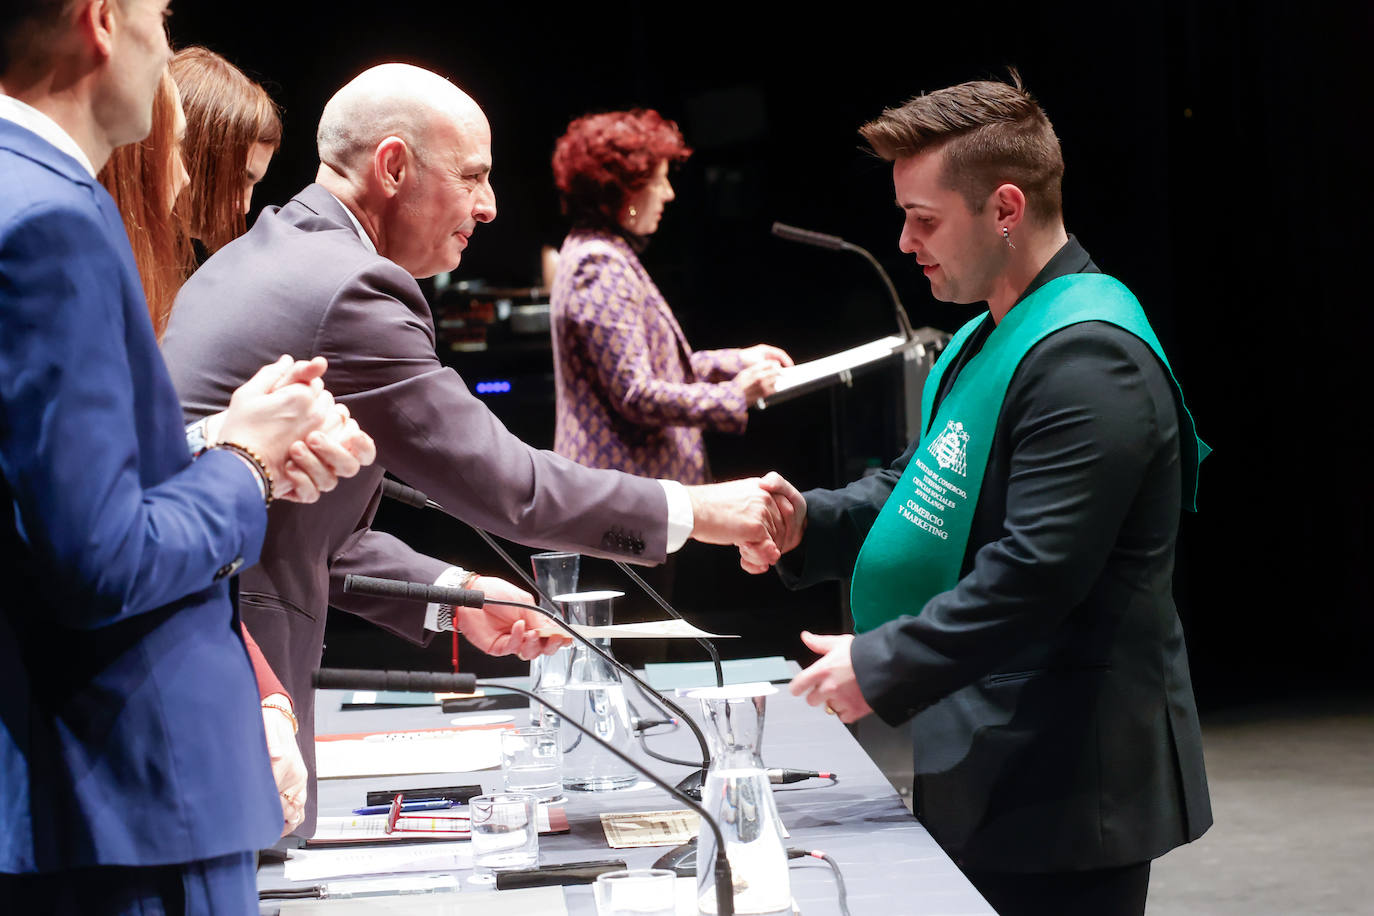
407, 753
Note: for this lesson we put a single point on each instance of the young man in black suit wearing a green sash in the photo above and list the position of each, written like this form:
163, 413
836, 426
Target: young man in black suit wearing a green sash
1013, 569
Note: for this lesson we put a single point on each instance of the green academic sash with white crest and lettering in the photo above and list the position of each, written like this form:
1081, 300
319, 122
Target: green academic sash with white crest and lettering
916, 549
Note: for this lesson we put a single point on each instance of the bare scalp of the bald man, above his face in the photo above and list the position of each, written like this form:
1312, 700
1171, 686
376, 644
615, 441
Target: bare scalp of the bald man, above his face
392, 101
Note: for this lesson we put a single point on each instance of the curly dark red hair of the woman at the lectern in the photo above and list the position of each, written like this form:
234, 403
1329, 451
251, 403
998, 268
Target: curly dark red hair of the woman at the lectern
604, 159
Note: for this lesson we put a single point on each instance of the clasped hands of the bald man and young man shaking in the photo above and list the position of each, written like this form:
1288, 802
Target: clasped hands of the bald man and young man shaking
763, 517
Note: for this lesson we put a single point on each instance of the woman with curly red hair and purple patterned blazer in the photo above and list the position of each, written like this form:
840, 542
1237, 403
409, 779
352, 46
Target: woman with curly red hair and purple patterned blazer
631, 392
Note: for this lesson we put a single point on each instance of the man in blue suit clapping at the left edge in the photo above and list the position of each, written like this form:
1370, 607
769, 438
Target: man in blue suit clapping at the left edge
134, 775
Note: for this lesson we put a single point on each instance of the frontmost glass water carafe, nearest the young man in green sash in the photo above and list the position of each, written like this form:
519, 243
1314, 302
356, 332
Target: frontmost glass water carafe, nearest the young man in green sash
737, 793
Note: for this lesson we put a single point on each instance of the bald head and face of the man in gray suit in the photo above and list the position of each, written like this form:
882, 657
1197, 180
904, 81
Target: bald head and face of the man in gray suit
410, 154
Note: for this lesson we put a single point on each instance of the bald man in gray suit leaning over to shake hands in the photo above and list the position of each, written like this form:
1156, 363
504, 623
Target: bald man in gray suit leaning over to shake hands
403, 183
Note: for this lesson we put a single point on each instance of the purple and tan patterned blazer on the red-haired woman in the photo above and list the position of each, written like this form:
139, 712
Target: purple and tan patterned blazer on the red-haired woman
631, 393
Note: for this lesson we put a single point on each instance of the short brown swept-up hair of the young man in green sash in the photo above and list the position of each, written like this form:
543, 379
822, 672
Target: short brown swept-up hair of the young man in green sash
991, 133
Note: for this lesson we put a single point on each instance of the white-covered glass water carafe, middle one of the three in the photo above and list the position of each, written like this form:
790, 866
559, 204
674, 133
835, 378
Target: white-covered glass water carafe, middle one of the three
594, 697
